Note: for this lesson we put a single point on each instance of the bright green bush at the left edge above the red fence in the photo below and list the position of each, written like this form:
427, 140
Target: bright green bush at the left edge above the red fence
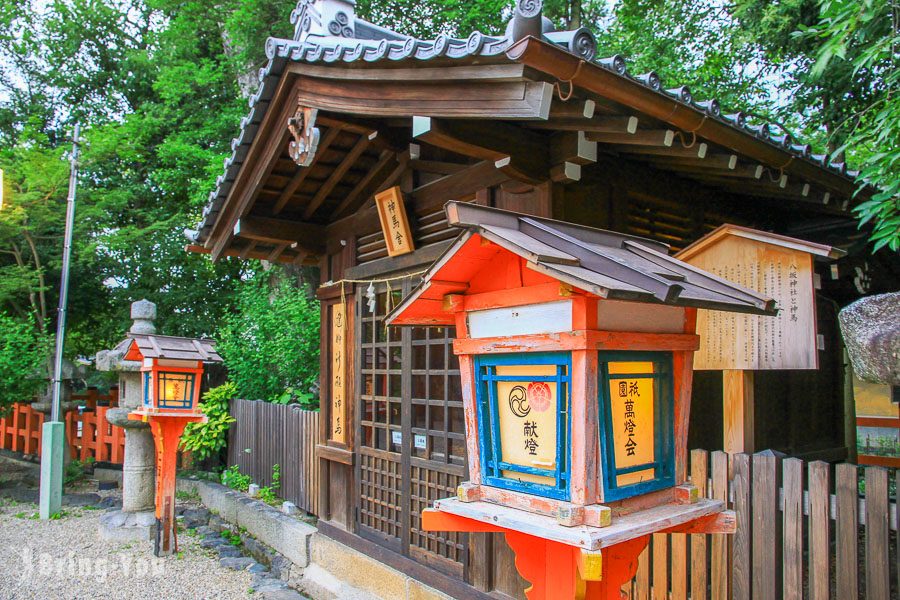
23, 350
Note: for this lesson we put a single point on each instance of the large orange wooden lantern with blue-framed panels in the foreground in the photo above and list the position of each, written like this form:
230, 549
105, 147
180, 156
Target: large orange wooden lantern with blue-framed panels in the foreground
575, 348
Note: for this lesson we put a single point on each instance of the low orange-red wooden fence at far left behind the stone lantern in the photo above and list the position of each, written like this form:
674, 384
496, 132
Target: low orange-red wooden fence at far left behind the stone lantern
88, 433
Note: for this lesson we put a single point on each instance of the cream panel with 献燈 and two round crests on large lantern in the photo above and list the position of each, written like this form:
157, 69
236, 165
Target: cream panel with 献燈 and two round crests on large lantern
527, 413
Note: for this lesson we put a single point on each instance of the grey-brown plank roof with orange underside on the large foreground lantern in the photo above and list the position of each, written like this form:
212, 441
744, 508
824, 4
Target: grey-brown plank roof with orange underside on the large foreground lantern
604, 263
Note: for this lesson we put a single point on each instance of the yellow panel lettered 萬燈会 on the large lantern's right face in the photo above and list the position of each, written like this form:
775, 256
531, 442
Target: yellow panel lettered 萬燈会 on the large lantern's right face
632, 397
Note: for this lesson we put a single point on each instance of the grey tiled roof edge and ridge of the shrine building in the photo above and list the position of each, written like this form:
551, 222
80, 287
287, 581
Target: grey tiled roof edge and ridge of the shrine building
327, 31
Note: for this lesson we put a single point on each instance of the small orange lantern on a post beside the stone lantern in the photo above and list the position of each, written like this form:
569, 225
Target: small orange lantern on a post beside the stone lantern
172, 368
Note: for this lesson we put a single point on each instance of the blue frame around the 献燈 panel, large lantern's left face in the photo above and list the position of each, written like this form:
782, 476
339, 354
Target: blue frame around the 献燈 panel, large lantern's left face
492, 464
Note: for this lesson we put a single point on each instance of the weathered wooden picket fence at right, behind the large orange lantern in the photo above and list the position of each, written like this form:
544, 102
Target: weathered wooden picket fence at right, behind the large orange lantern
805, 530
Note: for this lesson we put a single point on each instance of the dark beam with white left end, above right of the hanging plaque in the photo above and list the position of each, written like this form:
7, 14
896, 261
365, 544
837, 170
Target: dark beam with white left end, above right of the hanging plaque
520, 153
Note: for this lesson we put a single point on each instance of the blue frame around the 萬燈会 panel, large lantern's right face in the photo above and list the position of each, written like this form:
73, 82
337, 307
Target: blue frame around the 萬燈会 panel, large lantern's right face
663, 426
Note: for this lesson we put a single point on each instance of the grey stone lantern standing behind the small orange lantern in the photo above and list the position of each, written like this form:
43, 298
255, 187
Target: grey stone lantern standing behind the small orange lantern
137, 517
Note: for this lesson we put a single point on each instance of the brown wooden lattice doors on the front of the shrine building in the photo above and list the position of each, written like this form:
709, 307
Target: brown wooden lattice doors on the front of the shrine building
411, 432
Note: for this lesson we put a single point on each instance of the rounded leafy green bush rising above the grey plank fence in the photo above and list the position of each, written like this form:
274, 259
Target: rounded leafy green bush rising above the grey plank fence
270, 344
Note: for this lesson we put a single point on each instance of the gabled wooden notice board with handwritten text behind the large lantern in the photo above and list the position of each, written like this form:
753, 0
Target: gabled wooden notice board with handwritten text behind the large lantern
778, 267
